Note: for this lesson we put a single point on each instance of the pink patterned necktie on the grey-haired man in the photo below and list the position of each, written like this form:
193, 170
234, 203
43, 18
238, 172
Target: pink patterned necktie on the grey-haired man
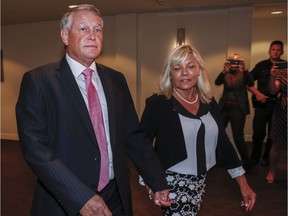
96, 116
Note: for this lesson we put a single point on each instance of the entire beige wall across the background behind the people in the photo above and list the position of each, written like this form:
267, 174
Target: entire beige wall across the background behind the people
137, 45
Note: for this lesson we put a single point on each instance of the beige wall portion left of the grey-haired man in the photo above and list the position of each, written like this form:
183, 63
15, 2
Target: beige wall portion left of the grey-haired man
24, 47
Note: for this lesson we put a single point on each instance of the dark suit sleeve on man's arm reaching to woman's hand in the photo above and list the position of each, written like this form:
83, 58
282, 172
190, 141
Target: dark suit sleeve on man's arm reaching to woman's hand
139, 147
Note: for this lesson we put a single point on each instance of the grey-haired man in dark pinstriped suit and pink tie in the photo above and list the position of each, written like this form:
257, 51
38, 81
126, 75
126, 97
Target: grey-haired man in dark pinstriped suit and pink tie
57, 133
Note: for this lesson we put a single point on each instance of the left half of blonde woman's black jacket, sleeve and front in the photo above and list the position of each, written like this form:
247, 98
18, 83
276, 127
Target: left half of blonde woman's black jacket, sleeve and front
162, 124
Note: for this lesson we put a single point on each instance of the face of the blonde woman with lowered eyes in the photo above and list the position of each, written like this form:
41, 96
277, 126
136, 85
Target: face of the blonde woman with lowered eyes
185, 75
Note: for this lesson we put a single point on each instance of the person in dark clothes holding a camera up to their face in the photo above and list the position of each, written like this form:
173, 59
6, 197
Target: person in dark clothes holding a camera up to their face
234, 103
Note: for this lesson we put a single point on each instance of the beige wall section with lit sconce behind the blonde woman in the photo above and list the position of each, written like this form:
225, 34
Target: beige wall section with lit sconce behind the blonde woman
209, 31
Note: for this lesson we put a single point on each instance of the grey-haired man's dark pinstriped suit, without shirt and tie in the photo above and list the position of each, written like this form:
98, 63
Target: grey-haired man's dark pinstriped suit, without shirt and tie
58, 142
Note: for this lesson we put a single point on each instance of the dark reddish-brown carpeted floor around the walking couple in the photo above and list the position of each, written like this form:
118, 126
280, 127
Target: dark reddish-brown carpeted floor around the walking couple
222, 196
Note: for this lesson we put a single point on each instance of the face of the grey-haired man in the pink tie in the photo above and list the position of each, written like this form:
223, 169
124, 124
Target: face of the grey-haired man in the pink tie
84, 38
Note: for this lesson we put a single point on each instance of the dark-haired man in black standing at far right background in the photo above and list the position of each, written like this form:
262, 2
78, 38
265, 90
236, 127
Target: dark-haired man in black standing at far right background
264, 103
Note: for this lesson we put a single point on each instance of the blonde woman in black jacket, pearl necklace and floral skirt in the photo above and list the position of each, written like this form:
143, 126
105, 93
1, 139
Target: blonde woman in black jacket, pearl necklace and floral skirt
184, 122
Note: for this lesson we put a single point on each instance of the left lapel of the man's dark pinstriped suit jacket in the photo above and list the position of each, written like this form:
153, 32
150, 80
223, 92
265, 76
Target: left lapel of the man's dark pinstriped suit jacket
69, 84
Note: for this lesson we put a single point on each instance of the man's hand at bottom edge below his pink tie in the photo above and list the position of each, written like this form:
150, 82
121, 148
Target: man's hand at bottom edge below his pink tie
95, 206
